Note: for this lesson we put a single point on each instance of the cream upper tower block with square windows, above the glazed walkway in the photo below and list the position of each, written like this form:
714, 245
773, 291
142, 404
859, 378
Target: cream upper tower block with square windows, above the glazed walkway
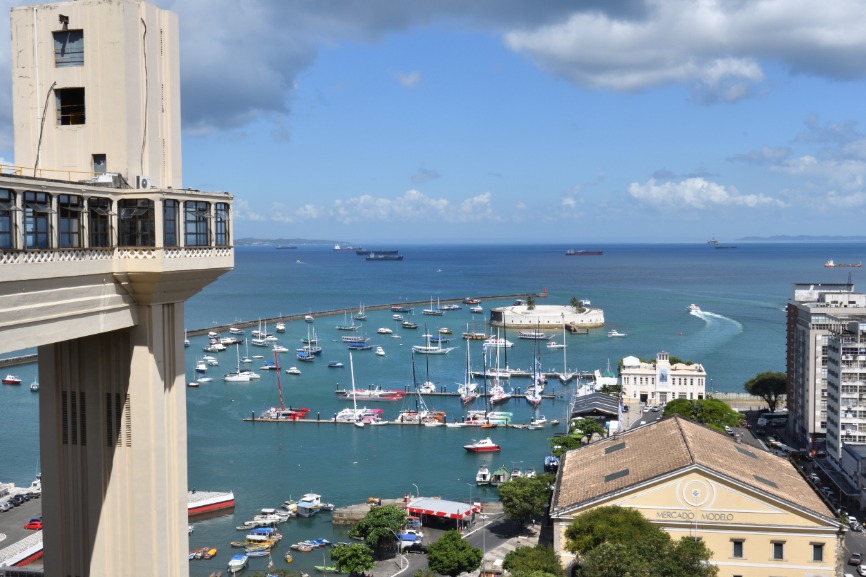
96, 92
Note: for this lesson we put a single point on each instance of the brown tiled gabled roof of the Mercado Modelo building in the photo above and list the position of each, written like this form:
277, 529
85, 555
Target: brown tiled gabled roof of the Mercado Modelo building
637, 456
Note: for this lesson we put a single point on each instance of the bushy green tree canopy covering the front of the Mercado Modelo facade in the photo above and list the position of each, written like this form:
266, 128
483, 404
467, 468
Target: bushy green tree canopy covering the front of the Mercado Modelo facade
615, 541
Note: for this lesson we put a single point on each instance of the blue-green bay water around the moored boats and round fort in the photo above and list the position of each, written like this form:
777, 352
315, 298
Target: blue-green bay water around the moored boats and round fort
643, 289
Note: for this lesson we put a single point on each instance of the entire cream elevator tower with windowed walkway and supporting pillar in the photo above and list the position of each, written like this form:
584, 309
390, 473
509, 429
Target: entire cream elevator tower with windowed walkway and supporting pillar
100, 247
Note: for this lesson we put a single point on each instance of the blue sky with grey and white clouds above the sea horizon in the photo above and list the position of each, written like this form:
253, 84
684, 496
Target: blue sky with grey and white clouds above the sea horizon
575, 123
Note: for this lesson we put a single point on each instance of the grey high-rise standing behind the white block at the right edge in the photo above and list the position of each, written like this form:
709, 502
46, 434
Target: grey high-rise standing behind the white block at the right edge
814, 312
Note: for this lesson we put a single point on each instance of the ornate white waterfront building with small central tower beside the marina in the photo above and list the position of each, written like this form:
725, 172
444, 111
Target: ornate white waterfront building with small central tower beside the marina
660, 382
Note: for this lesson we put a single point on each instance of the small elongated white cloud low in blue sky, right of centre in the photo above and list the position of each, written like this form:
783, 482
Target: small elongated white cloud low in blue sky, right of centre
696, 193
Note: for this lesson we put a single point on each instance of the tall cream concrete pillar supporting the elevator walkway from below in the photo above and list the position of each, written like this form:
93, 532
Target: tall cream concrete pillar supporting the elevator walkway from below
113, 444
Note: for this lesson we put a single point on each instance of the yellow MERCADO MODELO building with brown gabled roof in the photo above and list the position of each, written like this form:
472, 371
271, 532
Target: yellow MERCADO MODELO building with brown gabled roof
753, 510
